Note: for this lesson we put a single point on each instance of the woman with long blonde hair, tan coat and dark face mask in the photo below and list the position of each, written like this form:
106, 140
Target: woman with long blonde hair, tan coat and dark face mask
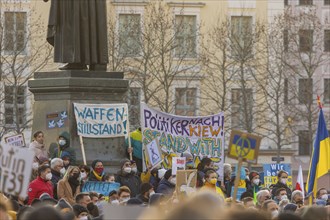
69, 186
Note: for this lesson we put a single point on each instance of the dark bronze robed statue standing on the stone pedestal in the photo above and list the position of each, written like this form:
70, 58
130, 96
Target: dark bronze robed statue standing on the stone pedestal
77, 29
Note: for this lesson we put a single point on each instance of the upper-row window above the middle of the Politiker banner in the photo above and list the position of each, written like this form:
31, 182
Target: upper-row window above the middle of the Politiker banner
185, 36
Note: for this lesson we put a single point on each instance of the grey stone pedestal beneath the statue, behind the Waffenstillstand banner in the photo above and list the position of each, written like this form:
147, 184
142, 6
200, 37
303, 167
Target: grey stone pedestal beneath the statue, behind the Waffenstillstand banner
55, 92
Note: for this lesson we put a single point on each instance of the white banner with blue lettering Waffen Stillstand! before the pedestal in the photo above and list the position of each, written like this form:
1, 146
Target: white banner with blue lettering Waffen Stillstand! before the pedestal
101, 120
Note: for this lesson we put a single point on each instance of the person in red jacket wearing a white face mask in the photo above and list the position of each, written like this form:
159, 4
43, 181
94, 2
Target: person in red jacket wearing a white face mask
41, 184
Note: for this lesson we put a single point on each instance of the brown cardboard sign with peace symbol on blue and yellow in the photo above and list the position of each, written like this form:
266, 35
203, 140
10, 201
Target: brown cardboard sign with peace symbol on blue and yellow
244, 145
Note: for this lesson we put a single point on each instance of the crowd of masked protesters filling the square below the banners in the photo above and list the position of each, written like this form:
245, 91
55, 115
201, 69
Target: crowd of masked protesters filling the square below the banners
56, 191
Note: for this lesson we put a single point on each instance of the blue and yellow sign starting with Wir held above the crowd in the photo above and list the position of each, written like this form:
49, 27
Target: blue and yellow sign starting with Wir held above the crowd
270, 173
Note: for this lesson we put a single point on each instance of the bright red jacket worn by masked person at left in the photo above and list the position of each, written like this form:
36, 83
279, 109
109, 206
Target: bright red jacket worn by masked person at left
38, 187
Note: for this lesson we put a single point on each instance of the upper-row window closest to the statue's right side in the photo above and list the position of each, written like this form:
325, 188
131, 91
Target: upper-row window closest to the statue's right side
129, 35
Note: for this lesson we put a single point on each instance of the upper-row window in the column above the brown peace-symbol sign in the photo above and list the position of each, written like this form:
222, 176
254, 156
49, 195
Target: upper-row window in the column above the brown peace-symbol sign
241, 35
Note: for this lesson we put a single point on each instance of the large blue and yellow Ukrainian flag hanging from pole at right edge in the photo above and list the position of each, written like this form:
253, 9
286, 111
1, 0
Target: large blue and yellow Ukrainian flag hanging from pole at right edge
320, 164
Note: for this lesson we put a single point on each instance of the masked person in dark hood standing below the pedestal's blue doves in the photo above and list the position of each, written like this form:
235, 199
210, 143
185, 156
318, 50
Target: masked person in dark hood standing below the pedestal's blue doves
65, 148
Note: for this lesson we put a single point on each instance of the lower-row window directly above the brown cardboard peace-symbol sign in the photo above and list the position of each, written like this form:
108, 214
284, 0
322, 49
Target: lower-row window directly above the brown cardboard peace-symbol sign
238, 111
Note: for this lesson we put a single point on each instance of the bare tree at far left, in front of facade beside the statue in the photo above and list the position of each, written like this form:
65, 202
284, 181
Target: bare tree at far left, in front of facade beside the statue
21, 54
